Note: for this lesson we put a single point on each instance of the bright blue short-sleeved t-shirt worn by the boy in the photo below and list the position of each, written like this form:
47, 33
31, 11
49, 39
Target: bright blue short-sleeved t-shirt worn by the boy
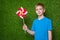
41, 28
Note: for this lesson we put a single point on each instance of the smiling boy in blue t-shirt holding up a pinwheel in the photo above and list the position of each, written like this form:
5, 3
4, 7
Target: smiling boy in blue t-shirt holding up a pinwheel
42, 26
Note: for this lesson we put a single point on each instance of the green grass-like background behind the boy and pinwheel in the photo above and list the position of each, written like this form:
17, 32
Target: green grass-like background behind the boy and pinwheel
11, 25
